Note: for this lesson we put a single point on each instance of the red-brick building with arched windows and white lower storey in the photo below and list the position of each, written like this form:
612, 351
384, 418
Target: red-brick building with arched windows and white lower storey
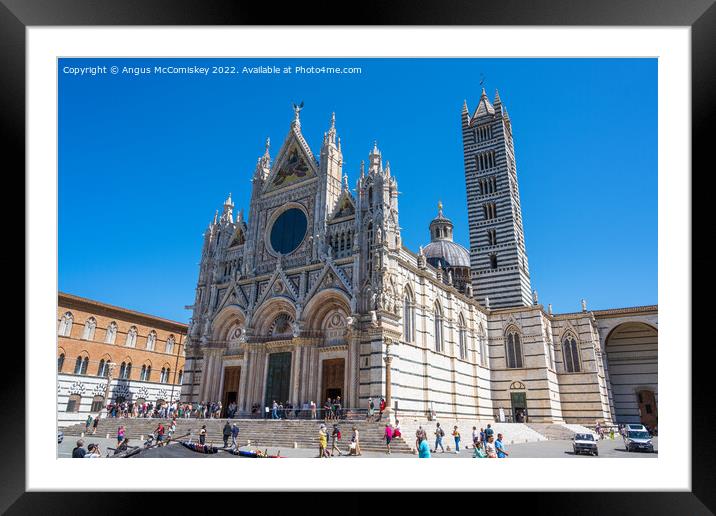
141, 355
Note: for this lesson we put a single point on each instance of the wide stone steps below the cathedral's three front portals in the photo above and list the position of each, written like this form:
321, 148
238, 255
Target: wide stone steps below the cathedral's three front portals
261, 432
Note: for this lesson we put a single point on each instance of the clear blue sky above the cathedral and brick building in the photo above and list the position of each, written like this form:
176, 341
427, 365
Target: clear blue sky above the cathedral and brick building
144, 161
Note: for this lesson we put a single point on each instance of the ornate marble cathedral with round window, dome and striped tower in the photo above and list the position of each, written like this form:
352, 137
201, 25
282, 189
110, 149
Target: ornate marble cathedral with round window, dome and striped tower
313, 295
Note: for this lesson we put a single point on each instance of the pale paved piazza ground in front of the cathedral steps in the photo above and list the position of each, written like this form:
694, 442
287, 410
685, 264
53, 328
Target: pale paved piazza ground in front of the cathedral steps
608, 448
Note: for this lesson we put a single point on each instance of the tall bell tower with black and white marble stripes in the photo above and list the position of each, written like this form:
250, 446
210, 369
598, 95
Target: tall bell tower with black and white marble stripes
498, 258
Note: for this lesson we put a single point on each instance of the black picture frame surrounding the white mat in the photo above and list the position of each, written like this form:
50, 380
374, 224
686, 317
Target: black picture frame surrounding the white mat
700, 15
